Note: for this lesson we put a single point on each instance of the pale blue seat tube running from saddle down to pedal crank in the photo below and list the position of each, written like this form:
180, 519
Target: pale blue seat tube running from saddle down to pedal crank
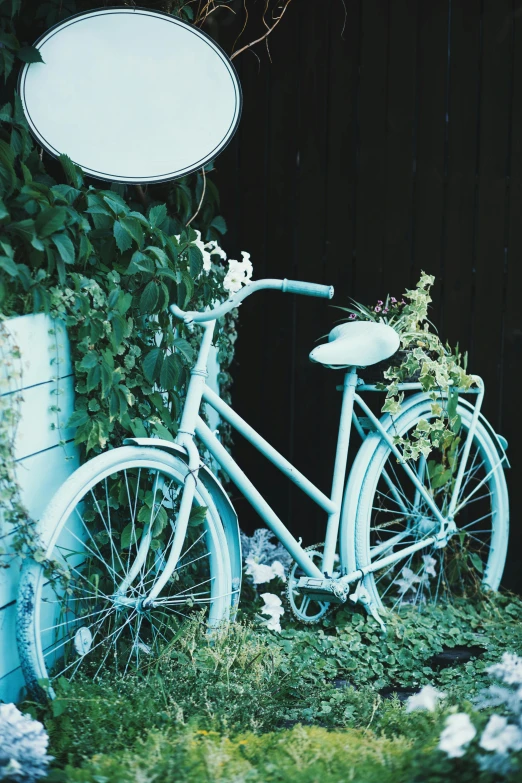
340, 466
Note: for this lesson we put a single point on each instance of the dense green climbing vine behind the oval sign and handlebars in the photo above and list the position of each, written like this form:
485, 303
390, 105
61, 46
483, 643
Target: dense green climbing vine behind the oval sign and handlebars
107, 261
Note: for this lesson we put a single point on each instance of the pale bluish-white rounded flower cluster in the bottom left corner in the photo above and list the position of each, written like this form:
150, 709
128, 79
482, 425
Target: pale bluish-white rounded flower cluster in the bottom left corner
23, 746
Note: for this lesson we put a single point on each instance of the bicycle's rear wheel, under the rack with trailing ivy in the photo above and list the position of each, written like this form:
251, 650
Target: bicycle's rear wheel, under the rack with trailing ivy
392, 515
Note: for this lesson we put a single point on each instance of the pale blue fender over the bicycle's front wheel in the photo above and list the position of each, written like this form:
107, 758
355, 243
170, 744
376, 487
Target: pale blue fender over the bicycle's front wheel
220, 498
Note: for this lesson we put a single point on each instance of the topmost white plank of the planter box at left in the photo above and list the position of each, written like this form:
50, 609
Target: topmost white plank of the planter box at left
44, 348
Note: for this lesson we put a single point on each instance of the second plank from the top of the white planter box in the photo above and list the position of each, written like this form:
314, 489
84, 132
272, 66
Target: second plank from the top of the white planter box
40, 427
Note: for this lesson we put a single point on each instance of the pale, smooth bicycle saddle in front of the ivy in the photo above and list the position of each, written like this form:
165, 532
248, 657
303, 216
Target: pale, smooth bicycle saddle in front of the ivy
357, 344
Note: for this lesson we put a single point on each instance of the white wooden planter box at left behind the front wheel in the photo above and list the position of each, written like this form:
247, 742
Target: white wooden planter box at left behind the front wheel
42, 384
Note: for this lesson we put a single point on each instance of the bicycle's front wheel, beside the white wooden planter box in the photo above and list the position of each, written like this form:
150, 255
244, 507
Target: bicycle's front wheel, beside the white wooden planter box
106, 537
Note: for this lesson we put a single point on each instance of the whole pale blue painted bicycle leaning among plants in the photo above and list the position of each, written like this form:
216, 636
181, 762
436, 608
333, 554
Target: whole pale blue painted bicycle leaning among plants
142, 537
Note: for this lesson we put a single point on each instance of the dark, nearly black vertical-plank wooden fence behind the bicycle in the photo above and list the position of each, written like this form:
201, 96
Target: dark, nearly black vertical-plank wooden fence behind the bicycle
377, 143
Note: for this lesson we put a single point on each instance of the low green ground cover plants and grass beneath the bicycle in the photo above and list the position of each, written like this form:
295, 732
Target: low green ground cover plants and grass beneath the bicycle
299, 705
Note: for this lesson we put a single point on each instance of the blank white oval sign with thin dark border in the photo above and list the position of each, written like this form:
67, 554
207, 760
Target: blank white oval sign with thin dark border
131, 95
